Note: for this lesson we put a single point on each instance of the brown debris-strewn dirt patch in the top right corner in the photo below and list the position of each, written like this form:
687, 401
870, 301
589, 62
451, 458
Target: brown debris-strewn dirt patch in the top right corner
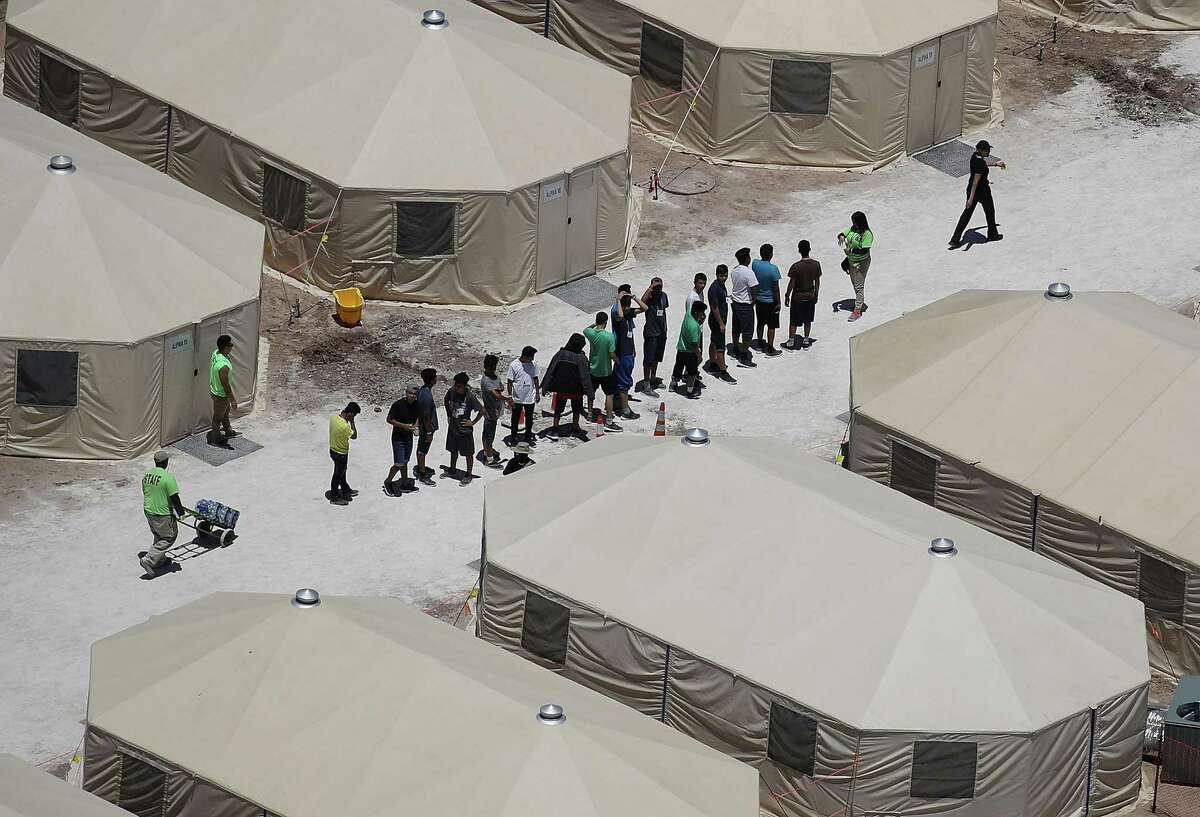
1126, 65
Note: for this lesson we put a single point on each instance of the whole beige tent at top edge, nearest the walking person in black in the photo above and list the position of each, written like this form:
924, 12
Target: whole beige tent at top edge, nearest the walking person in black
824, 83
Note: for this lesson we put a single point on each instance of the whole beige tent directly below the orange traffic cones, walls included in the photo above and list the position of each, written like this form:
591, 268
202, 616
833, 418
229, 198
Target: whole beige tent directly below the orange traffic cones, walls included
803, 626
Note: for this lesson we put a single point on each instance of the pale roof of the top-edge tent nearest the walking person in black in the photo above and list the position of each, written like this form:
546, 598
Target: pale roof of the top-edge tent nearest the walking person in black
818, 27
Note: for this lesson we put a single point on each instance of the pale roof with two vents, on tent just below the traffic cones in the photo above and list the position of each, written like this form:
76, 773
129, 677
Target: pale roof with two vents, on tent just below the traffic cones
829, 596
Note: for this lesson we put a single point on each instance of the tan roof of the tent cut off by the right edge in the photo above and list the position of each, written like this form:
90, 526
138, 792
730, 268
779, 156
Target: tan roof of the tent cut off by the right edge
1071, 394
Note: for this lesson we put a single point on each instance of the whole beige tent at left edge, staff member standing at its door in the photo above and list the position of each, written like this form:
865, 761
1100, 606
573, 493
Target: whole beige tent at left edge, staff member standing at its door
117, 283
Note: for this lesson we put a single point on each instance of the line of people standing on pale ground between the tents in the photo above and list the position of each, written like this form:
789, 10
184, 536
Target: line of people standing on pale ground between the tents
741, 310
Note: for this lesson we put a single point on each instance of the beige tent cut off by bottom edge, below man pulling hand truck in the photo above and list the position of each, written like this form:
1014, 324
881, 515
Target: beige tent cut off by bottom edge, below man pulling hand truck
241, 705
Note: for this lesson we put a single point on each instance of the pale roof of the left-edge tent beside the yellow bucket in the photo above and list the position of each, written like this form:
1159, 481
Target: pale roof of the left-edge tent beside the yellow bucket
115, 253
